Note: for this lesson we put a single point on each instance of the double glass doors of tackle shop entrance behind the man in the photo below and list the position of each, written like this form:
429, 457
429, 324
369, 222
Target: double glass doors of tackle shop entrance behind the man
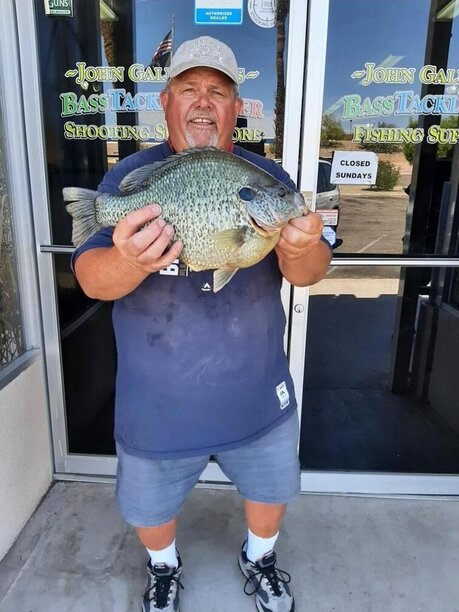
371, 347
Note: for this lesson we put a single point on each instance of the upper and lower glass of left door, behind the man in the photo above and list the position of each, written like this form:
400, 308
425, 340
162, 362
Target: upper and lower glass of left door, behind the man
102, 70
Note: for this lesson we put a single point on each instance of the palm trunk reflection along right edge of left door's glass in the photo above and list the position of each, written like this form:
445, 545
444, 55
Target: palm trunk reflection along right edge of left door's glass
279, 108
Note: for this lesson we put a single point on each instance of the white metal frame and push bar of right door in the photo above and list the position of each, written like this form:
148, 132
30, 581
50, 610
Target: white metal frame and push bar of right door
318, 481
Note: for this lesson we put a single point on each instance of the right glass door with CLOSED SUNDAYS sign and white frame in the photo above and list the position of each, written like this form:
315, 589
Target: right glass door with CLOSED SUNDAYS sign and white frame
379, 391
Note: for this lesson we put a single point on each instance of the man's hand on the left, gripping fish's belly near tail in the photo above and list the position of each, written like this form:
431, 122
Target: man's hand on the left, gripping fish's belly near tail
148, 249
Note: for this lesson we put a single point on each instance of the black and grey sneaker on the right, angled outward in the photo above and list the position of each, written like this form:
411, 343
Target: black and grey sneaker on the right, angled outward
269, 583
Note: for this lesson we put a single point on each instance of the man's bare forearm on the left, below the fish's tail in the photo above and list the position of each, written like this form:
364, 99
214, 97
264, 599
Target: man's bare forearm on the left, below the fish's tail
104, 274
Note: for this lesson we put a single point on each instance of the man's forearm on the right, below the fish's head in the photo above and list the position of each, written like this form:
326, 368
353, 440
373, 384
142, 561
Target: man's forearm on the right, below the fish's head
308, 268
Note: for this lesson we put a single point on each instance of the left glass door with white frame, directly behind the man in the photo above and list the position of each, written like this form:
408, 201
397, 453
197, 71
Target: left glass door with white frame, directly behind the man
96, 72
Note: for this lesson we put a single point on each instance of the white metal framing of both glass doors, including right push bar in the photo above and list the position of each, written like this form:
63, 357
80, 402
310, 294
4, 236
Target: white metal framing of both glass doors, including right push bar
307, 42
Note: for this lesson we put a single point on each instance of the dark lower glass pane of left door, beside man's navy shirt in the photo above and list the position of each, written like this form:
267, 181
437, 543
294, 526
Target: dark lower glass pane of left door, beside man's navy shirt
88, 364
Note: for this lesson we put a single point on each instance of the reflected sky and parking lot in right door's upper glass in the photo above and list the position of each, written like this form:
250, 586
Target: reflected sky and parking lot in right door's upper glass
386, 92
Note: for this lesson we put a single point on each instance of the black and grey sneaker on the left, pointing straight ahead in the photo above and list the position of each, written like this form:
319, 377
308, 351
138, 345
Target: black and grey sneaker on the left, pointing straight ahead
162, 592
